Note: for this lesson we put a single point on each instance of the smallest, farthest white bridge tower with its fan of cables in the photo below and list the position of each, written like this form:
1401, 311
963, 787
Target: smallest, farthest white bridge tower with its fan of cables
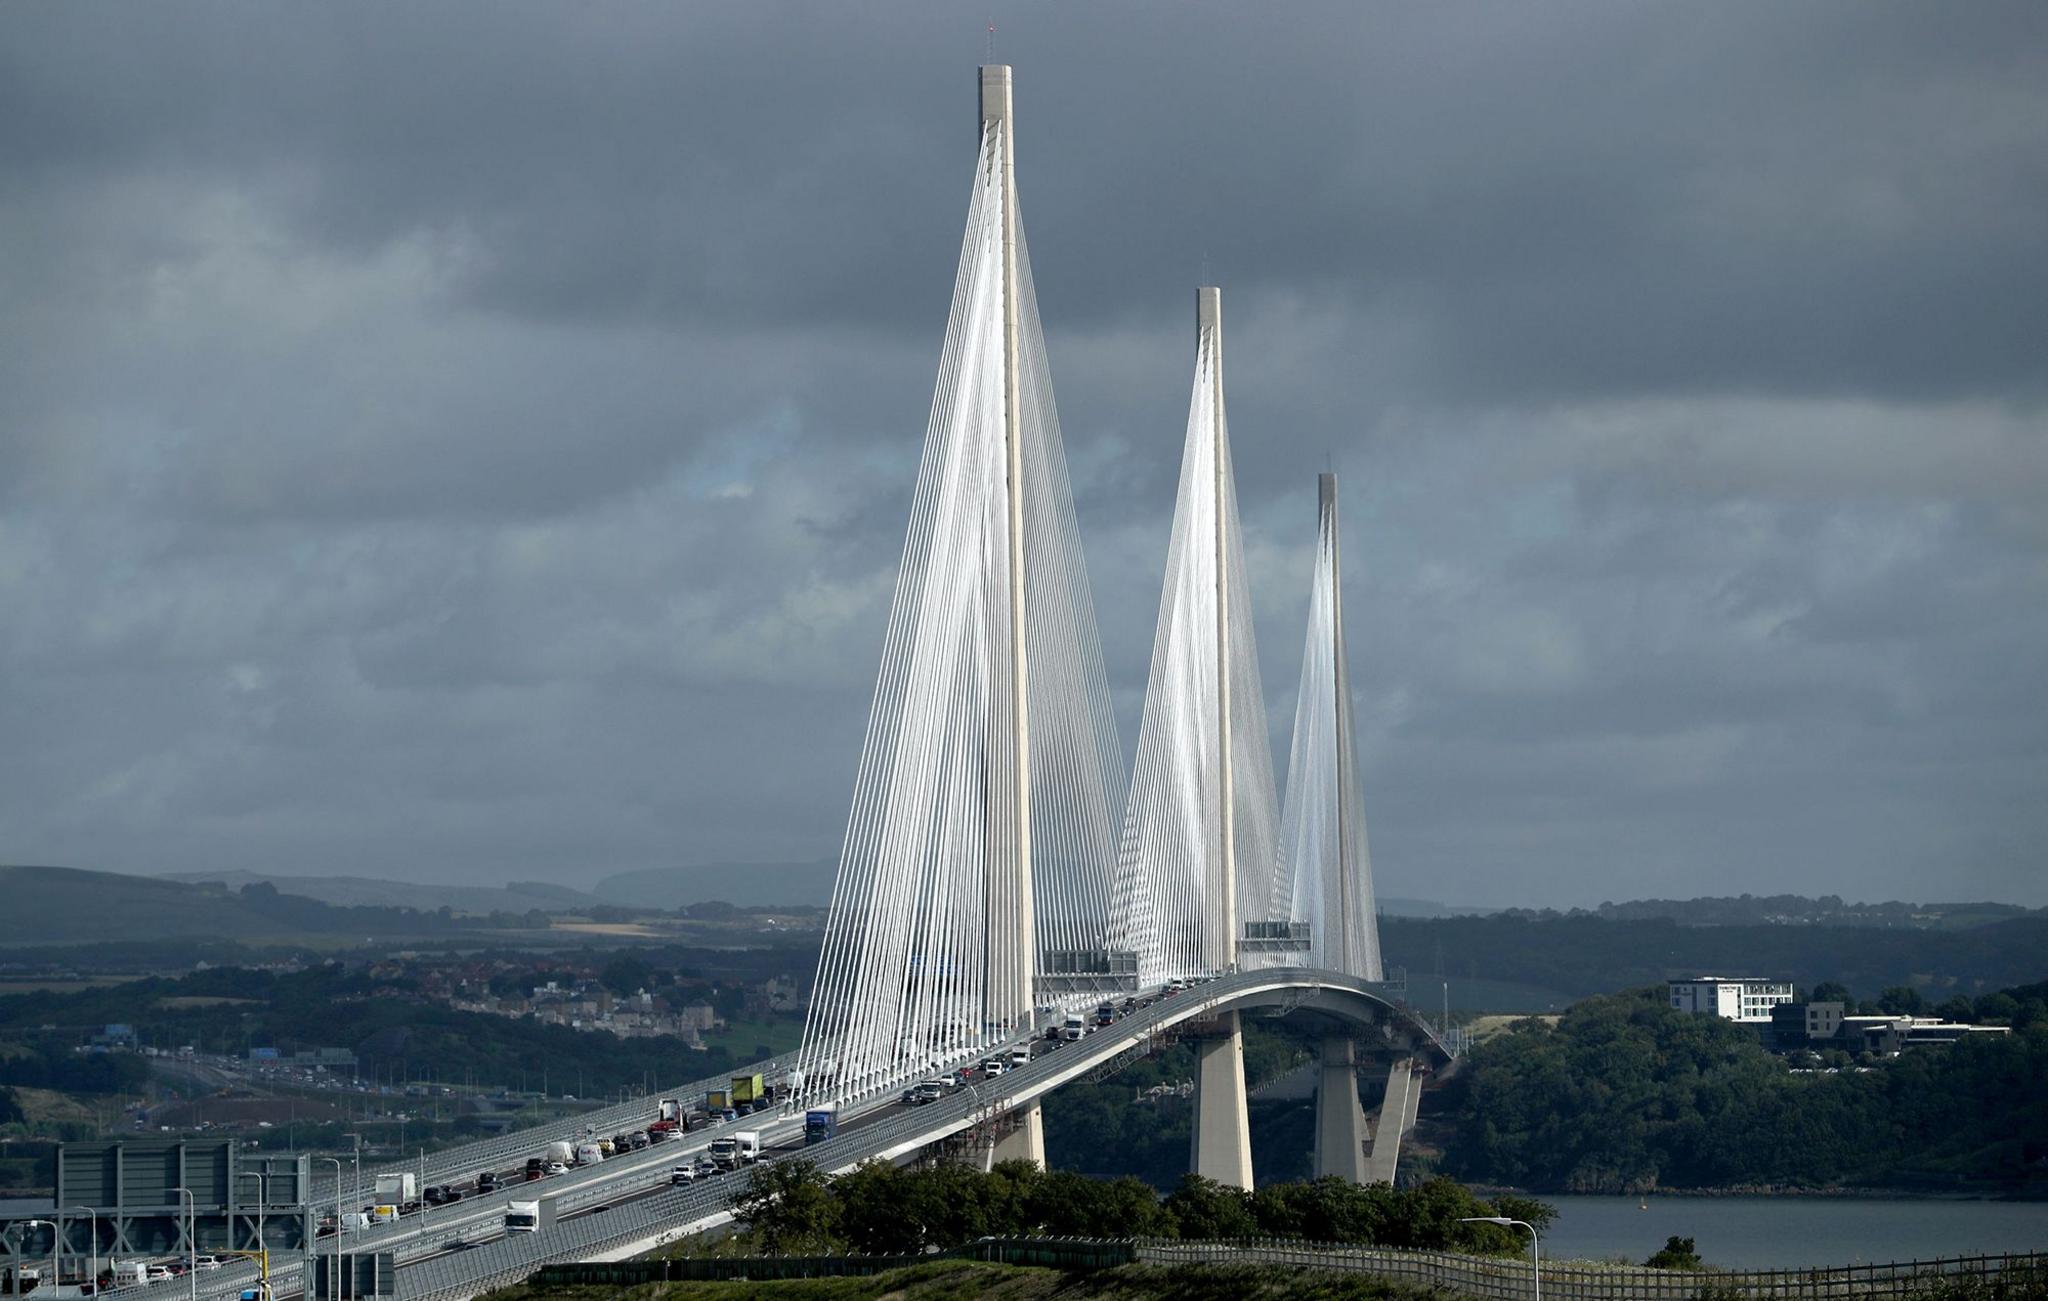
1324, 829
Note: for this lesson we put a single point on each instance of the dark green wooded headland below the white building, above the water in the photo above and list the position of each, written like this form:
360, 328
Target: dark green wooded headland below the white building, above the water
1627, 1095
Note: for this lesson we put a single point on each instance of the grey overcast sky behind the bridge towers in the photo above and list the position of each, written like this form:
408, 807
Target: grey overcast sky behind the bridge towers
474, 442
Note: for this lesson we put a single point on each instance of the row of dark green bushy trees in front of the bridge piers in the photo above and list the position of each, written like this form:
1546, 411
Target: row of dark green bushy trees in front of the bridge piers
880, 1210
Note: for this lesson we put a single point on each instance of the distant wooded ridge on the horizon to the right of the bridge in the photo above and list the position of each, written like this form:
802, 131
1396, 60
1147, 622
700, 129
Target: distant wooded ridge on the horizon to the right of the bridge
1582, 956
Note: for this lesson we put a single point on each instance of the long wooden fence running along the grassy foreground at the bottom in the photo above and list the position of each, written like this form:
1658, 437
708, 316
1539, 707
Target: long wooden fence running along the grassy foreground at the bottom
1480, 1277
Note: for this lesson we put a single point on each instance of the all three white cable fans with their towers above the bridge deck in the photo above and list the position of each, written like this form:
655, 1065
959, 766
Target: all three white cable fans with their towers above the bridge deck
994, 866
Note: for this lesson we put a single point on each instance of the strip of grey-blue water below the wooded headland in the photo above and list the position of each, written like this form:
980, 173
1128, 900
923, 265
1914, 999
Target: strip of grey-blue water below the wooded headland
1787, 1232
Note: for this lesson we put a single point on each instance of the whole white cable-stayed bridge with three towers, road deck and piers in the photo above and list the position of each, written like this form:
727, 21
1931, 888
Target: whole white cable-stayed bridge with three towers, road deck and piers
998, 872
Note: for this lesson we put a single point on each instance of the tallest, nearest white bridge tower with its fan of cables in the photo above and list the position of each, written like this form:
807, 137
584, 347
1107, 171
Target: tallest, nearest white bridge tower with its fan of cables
984, 825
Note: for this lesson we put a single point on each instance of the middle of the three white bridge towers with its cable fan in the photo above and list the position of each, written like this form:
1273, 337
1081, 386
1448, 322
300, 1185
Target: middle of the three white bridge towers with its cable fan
1197, 853
